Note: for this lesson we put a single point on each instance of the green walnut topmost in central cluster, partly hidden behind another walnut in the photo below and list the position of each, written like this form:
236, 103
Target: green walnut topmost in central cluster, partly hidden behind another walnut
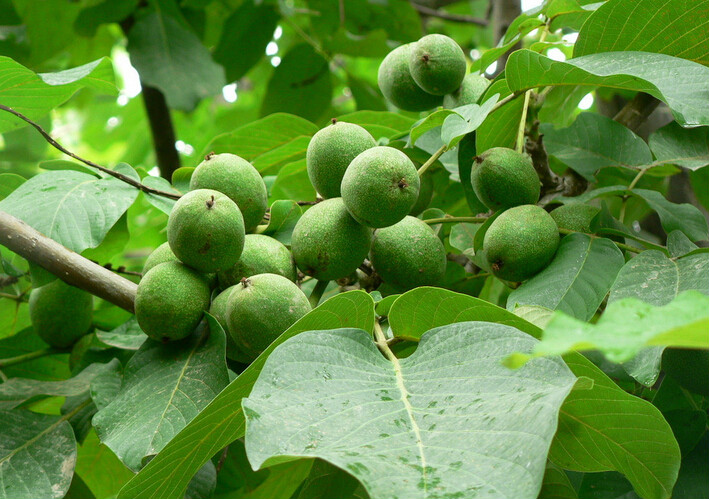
330, 152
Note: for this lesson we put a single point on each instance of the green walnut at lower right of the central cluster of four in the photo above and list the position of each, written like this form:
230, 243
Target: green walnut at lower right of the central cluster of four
408, 254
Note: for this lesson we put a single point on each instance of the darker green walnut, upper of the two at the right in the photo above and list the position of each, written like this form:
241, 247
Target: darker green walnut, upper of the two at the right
503, 178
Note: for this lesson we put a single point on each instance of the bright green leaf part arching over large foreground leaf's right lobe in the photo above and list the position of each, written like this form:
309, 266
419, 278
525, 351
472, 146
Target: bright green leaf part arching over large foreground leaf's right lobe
422, 309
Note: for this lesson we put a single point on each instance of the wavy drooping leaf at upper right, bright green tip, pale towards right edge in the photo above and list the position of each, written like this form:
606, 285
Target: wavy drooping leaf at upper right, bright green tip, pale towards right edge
681, 84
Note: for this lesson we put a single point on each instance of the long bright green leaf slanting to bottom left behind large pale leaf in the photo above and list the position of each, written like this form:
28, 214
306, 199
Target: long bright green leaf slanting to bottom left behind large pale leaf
222, 421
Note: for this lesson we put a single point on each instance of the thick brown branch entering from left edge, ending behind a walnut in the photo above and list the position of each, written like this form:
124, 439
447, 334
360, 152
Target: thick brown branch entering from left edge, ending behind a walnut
69, 266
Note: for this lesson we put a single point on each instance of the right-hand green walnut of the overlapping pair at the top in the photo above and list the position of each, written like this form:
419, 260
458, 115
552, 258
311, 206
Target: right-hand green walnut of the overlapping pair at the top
437, 64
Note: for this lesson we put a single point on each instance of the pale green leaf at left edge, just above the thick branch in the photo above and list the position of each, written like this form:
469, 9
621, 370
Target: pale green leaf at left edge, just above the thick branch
74, 208
